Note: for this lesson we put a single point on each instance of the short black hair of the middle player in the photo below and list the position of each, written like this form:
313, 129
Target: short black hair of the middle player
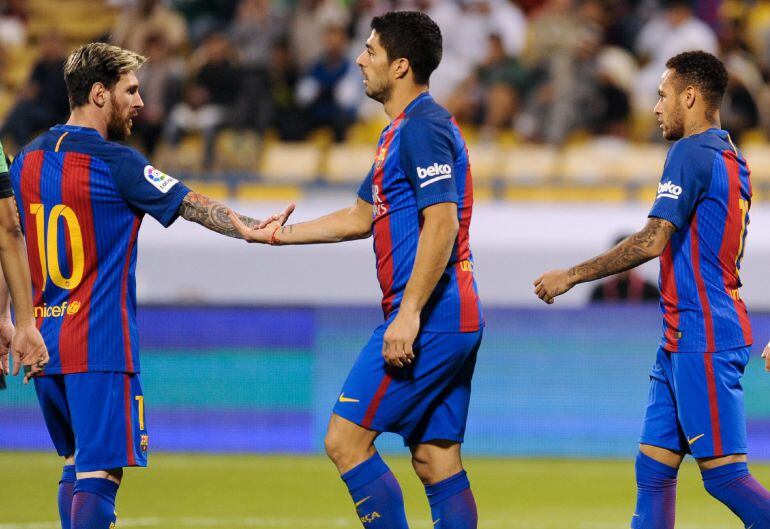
411, 35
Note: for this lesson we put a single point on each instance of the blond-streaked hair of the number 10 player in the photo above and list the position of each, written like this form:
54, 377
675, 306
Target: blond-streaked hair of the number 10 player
97, 62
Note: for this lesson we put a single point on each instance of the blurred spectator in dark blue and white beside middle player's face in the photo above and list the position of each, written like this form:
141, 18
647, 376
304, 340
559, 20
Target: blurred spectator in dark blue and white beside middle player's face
325, 91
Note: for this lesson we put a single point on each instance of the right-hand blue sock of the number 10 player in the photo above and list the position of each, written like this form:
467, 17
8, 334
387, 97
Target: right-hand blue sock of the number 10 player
93, 504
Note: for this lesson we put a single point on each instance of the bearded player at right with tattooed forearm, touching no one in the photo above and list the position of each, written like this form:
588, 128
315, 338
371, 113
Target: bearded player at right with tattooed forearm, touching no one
697, 226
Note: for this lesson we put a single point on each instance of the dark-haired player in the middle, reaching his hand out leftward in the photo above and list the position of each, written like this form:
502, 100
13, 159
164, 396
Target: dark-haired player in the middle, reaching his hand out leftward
413, 377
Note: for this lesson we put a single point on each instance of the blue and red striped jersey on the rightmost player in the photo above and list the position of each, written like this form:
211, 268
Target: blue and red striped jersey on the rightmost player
705, 192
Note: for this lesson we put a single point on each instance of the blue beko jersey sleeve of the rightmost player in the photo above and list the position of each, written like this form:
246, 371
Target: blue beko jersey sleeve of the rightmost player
685, 181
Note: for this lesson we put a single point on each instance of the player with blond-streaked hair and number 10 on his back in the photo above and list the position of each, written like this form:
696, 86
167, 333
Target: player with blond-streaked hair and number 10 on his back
82, 198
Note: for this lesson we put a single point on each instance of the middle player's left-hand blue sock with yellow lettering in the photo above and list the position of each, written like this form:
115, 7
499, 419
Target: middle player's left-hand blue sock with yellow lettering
376, 494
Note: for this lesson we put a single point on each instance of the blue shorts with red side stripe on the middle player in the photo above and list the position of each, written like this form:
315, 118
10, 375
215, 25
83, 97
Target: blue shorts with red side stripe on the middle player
425, 401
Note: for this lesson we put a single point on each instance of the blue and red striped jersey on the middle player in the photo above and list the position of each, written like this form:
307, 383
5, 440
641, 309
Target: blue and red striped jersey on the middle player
422, 160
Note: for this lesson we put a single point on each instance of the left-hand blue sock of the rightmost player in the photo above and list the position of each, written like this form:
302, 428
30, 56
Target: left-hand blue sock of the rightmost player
656, 494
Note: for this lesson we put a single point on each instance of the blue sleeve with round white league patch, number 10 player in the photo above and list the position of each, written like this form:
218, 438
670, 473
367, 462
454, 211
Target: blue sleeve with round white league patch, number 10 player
147, 189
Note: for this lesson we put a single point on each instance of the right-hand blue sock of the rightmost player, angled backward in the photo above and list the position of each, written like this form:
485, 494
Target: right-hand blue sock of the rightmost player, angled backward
734, 486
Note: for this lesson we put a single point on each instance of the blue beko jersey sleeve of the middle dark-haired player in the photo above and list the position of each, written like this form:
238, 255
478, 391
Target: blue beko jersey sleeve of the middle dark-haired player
427, 157
